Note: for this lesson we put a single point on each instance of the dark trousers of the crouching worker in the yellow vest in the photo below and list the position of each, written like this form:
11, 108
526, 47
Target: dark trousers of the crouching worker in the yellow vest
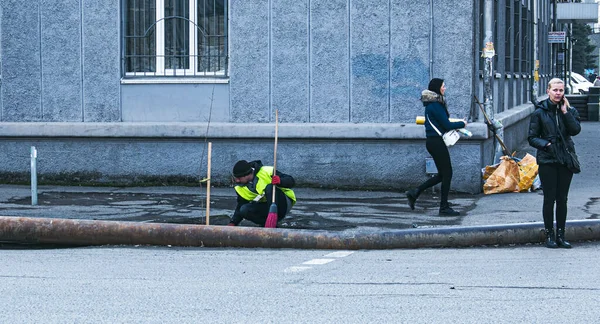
257, 212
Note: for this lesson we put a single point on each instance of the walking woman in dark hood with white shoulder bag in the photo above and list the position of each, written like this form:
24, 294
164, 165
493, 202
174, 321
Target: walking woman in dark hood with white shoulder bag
436, 113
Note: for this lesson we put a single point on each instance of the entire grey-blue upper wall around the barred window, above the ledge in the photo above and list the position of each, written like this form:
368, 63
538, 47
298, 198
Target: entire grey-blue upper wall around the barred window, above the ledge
340, 61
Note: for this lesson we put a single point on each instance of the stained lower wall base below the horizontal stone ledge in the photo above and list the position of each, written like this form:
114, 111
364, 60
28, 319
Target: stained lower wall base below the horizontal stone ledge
366, 165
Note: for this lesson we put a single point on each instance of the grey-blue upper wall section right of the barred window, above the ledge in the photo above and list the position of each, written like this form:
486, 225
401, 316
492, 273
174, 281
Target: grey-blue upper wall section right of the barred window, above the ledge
346, 61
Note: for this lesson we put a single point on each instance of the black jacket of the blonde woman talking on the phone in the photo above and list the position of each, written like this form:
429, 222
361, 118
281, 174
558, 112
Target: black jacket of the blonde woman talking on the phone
543, 129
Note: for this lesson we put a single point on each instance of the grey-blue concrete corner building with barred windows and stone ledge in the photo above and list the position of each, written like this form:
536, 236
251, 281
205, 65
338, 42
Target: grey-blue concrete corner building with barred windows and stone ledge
131, 91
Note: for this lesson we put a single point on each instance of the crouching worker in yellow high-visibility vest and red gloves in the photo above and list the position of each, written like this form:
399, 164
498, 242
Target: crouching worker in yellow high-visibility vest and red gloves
254, 188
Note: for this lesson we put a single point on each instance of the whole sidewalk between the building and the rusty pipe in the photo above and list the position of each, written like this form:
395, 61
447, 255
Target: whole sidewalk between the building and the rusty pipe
317, 209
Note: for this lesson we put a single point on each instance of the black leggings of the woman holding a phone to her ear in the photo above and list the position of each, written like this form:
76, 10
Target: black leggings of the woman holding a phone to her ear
556, 180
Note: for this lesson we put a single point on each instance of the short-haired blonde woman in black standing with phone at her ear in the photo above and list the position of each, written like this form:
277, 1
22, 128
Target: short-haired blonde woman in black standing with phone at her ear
552, 118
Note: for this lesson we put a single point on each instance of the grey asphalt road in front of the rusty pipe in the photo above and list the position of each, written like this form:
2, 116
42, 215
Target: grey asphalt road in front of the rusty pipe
522, 284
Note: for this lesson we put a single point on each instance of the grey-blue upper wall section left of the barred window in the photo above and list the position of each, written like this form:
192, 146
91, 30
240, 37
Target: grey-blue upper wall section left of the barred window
60, 61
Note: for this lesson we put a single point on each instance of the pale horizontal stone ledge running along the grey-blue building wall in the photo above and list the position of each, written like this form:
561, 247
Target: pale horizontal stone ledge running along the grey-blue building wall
223, 130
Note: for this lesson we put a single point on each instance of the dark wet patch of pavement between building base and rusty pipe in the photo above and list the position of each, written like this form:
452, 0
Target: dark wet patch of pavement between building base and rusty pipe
330, 210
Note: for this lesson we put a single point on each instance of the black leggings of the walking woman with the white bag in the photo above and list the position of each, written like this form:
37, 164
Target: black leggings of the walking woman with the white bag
439, 152
